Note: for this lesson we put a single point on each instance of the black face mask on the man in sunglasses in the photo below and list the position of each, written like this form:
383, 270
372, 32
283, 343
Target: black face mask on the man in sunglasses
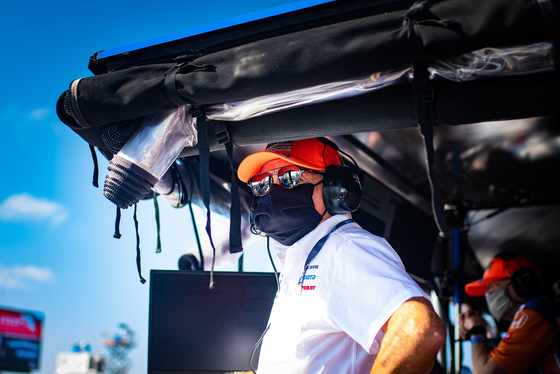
287, 215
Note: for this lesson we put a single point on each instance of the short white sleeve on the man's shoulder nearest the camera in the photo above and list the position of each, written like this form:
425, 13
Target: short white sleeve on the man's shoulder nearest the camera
367, 285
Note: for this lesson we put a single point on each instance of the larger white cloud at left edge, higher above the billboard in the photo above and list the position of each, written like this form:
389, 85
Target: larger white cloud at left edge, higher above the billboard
24, 207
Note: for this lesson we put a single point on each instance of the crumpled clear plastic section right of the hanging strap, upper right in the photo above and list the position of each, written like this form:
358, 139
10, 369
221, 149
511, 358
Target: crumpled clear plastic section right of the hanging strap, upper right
491, 62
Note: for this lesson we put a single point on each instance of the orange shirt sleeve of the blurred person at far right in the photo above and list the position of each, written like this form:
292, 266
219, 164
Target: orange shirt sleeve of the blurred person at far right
525, 342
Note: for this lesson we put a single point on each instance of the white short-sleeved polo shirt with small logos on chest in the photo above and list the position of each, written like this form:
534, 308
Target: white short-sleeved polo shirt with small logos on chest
331, 323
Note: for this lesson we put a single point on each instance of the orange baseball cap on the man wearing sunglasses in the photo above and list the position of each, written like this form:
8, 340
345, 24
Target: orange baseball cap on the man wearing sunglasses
311, 153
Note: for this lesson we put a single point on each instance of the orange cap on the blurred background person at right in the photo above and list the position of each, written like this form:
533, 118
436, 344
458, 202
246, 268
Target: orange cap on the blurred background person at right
497, 270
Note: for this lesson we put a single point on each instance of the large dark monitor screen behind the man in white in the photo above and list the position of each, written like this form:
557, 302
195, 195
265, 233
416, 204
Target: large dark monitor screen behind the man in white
194, 329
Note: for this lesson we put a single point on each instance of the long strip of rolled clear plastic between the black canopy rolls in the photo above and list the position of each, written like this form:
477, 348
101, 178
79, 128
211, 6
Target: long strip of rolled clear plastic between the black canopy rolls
482, 63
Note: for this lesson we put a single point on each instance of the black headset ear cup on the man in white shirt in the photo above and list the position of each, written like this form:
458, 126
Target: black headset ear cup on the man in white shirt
342, 190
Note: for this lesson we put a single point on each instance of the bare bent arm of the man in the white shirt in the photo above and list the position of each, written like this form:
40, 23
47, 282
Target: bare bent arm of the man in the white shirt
413, 336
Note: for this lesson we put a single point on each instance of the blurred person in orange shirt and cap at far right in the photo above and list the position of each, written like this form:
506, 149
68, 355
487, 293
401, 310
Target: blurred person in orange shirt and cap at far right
513, 290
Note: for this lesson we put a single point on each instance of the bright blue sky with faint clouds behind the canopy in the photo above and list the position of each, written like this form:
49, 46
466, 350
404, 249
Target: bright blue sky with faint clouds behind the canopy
57, 253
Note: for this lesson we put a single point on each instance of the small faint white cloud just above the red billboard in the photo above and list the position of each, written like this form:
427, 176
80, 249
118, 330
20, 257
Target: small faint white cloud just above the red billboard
20, 276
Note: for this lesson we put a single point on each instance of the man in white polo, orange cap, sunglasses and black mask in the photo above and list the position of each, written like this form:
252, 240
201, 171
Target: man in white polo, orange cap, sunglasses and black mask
345, 303
